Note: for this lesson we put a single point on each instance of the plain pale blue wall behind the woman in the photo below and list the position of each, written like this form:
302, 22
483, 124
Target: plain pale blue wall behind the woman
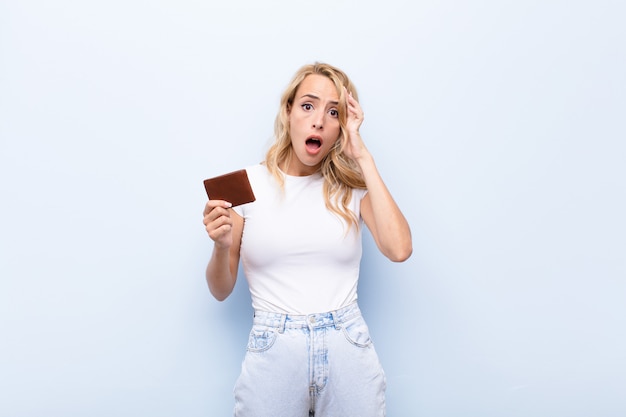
498, 126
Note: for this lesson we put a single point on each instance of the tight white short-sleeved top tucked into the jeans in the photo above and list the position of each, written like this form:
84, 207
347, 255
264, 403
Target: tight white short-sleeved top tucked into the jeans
298, 257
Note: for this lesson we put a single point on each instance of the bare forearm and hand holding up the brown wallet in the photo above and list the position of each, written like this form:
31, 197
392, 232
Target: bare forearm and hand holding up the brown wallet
225, 228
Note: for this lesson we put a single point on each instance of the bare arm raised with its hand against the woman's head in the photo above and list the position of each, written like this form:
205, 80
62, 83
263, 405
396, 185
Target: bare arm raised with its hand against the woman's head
380, 212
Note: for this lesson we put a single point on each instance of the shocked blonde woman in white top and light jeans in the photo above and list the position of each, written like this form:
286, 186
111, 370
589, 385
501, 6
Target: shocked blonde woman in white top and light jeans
309, 351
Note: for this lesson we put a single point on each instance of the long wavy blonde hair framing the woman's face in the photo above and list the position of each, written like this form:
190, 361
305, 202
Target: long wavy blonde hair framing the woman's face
340, 173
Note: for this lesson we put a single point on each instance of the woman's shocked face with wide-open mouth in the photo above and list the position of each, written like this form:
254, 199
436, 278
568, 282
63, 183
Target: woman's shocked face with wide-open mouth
313, 124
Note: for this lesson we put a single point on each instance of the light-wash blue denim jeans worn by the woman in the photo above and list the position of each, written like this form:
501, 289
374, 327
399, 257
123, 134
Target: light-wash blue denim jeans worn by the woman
321, 365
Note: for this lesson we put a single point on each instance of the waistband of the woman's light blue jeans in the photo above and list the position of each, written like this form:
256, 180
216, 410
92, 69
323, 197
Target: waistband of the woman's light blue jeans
293, 321
